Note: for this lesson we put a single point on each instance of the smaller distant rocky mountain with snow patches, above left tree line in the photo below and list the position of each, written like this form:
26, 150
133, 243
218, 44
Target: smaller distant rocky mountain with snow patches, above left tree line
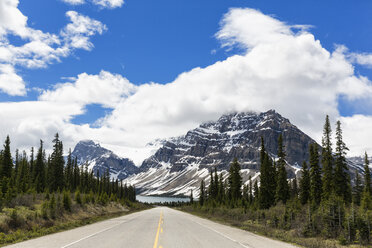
100, 160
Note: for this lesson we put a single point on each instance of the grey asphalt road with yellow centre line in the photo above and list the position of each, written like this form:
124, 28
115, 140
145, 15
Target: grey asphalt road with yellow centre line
157, 228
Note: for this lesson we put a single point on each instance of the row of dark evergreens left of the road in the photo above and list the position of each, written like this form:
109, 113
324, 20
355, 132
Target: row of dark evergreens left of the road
40, 173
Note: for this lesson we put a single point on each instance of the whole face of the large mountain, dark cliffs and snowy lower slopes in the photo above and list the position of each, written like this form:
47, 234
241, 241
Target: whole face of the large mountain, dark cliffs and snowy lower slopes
181, 163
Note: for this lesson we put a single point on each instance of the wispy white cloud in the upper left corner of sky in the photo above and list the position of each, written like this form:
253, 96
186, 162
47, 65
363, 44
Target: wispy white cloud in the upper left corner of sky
39, 49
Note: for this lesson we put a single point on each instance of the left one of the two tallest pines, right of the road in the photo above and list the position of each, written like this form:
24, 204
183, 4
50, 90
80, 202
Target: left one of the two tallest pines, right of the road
327, 160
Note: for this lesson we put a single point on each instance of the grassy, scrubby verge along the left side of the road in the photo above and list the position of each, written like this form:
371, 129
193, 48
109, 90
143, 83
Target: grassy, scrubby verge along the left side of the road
31, 220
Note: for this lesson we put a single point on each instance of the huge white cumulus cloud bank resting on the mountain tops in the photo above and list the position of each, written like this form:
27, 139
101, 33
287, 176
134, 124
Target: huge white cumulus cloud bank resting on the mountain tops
283, 67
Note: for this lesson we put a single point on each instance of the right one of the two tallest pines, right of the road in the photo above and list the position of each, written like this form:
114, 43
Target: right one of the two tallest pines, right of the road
342, 182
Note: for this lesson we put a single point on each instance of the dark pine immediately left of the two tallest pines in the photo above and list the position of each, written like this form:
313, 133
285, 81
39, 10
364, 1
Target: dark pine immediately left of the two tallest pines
315, 175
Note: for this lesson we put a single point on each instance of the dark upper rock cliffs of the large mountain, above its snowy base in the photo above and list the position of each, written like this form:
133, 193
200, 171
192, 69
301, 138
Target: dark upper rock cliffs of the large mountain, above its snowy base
216, 144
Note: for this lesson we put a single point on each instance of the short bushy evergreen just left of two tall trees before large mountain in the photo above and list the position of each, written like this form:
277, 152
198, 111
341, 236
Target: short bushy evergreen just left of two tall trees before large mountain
235, 181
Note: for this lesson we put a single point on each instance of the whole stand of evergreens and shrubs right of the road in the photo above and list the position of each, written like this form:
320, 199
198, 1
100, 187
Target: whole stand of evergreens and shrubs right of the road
333, 206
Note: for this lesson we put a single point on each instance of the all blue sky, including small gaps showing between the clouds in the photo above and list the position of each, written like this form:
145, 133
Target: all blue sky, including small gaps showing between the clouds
148, 41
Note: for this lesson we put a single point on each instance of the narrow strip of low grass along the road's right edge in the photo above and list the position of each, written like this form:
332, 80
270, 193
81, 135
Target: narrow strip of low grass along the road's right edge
239, 220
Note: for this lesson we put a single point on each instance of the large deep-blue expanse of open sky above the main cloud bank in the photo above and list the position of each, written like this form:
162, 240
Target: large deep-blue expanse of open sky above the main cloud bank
157, 40
